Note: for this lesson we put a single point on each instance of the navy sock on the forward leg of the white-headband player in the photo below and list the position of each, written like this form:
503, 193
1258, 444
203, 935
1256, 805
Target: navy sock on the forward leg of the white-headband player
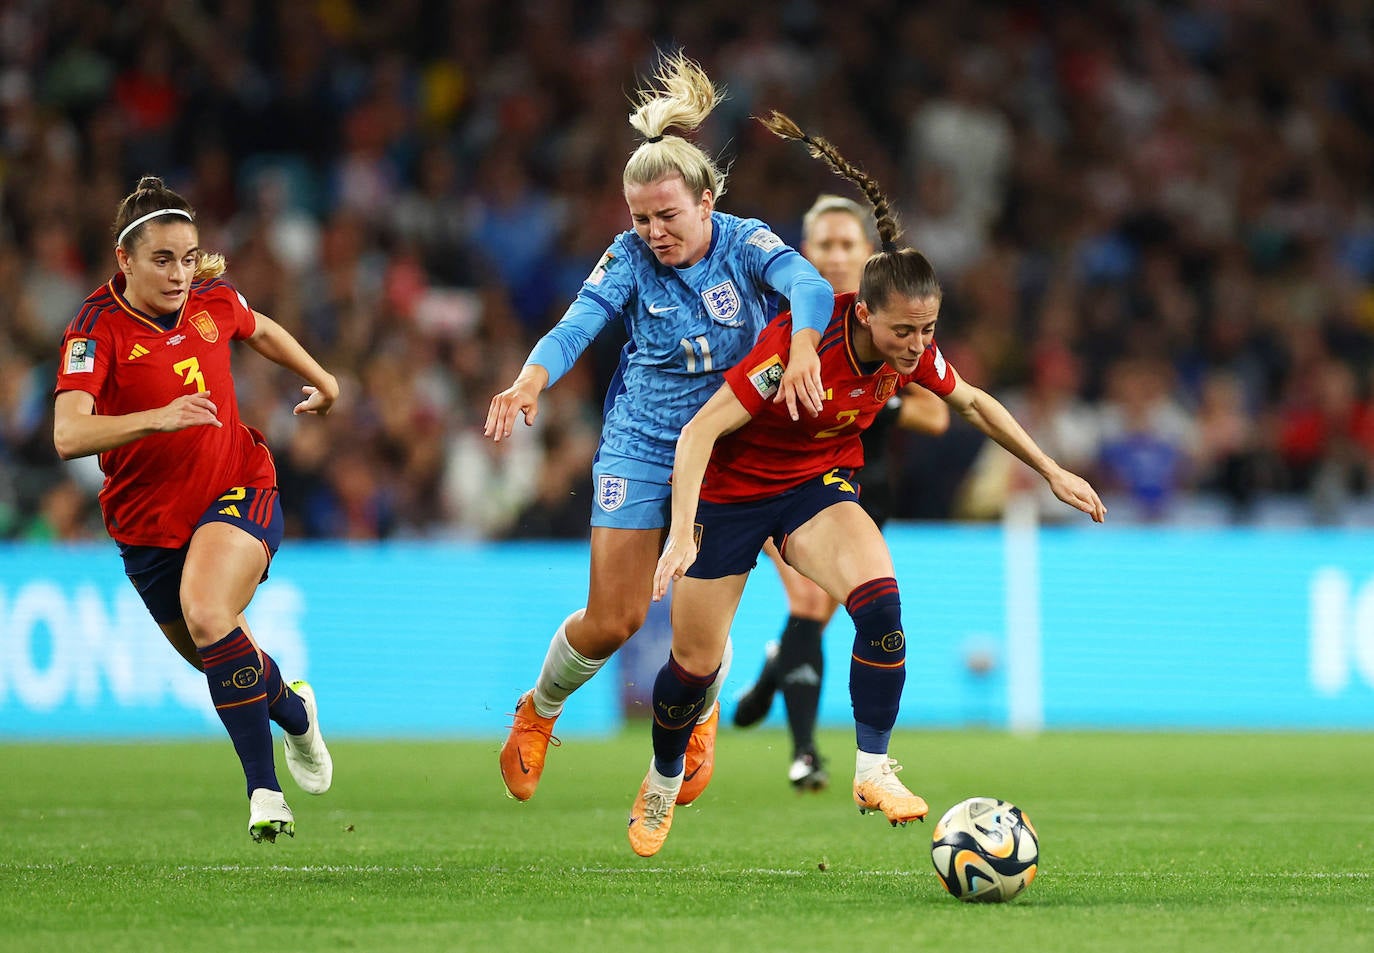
240, 696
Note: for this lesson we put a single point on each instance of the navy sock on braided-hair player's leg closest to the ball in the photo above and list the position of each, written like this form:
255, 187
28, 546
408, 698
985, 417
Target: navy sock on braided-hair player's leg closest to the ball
879, 665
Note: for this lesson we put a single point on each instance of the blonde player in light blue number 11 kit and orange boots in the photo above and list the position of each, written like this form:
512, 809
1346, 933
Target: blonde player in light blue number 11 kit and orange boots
695, 286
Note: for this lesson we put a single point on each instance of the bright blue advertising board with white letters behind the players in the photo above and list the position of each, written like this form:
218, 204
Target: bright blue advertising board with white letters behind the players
1022, 628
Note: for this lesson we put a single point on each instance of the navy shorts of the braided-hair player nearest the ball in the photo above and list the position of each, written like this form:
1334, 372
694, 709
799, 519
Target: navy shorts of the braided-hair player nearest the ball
730, 536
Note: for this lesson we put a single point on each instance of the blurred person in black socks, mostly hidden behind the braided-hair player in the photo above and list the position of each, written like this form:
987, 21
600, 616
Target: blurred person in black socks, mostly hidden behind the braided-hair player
837, 237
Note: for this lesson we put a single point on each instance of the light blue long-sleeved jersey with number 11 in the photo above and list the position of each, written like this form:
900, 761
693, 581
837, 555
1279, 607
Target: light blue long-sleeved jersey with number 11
686, 328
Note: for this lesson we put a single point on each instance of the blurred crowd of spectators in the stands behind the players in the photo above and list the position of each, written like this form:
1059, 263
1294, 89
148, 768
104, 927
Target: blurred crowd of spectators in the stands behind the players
1153, 220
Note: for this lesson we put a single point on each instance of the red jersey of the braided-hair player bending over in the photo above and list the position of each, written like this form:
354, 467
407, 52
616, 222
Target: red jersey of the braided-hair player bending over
773, 452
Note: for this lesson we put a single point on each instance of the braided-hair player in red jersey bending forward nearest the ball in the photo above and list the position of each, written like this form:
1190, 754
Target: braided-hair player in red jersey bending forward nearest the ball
744, 474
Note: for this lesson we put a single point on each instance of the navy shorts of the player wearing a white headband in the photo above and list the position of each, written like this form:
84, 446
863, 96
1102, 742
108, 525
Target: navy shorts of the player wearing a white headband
156, 572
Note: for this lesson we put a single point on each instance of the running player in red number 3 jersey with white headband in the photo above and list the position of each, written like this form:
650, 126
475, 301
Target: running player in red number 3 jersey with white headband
190, 492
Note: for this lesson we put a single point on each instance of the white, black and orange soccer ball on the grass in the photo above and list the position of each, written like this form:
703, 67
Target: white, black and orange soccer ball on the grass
986, 851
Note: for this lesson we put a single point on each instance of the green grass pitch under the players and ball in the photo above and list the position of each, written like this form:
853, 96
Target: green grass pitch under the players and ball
1148, 842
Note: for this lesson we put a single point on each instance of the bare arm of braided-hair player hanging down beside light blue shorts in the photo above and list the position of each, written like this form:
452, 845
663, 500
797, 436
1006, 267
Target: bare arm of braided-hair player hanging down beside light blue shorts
718, 417
